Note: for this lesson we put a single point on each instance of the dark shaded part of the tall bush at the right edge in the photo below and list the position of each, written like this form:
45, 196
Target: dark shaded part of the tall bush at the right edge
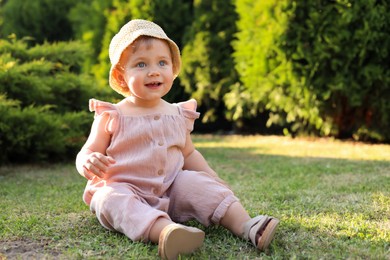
337, 53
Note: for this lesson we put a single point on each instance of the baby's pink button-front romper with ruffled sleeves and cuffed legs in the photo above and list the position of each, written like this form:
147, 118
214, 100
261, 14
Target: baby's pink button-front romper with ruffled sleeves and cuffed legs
147, 181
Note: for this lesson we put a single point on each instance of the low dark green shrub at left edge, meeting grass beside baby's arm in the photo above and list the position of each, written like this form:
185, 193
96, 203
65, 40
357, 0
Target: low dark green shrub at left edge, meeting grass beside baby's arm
36, 134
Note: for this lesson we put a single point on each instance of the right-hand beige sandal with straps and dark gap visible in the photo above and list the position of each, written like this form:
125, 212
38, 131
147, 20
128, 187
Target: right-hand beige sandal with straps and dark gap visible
261, 230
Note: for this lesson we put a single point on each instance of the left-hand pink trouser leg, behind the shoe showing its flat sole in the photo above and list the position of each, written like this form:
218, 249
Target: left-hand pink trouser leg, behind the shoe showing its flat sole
118, 207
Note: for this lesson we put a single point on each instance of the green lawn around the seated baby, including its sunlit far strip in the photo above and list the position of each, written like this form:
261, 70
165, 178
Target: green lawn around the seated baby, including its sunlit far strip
332, 197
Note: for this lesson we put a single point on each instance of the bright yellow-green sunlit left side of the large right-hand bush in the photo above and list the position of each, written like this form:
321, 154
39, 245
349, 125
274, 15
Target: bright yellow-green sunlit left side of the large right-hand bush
257, 57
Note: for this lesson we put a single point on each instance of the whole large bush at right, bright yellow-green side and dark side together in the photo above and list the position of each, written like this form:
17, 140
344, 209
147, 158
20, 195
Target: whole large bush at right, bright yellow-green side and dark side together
315, 66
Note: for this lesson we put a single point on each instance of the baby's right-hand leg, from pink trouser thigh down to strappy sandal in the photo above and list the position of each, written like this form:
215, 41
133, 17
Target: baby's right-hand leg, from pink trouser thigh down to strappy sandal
197, 195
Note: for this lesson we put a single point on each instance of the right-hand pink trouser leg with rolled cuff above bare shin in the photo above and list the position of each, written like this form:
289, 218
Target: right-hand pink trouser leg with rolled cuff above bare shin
197, 195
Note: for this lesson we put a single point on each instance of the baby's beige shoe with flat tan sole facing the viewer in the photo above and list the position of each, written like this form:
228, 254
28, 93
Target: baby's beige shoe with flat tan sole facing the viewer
177, 239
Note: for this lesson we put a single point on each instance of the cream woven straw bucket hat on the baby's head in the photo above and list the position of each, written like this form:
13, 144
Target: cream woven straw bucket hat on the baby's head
127, 35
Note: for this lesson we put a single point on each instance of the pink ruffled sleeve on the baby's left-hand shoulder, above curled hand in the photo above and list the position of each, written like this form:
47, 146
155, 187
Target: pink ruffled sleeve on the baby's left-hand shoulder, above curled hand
102, 108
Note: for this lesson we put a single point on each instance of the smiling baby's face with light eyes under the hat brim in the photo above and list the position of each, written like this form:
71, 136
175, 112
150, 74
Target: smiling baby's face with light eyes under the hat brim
148, 70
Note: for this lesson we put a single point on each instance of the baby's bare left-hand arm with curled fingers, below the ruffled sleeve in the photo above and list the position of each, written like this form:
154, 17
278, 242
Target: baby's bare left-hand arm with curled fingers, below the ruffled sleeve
92, 161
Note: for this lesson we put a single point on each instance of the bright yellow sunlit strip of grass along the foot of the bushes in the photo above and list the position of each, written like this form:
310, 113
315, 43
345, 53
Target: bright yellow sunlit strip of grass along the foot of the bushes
304, 147
